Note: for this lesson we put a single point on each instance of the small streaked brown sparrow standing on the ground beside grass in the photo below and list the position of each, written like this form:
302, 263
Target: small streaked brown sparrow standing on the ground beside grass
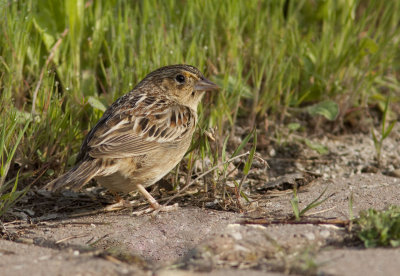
142, 136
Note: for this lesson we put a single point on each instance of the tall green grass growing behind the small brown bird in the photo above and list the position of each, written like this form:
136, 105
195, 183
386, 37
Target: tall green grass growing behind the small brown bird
60, 59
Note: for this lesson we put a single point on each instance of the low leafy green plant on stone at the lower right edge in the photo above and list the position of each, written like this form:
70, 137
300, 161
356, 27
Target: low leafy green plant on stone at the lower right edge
380, 228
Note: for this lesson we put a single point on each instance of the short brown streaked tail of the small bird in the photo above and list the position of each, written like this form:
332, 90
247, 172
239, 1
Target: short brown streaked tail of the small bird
76, 177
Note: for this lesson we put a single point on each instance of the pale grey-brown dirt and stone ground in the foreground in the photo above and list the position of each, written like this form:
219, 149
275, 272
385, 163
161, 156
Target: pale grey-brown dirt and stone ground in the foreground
197, 241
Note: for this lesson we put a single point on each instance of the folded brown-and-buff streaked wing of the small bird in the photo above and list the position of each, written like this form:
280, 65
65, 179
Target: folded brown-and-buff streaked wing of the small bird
145, 127
